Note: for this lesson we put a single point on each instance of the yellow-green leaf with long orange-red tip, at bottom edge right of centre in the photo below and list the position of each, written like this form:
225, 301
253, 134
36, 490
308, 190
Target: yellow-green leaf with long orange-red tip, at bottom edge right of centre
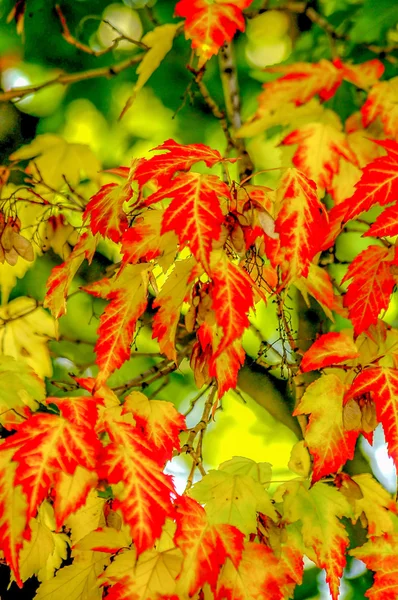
319, 508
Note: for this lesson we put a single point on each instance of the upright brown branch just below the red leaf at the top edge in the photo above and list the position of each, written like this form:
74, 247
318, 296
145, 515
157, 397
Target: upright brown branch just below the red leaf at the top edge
230, 86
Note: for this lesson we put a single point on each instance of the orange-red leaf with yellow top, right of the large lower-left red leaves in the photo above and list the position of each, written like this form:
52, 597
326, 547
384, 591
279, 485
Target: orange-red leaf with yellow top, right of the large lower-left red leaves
160, 422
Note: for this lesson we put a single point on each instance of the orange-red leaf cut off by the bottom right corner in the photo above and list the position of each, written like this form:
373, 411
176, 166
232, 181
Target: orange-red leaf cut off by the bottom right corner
380, 554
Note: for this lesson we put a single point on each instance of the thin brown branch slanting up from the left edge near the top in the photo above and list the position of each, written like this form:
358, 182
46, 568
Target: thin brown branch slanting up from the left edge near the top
69, 78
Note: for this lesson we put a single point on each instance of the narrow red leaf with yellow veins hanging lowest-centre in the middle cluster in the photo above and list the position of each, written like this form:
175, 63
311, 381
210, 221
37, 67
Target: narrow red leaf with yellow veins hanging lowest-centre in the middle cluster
232, 299
